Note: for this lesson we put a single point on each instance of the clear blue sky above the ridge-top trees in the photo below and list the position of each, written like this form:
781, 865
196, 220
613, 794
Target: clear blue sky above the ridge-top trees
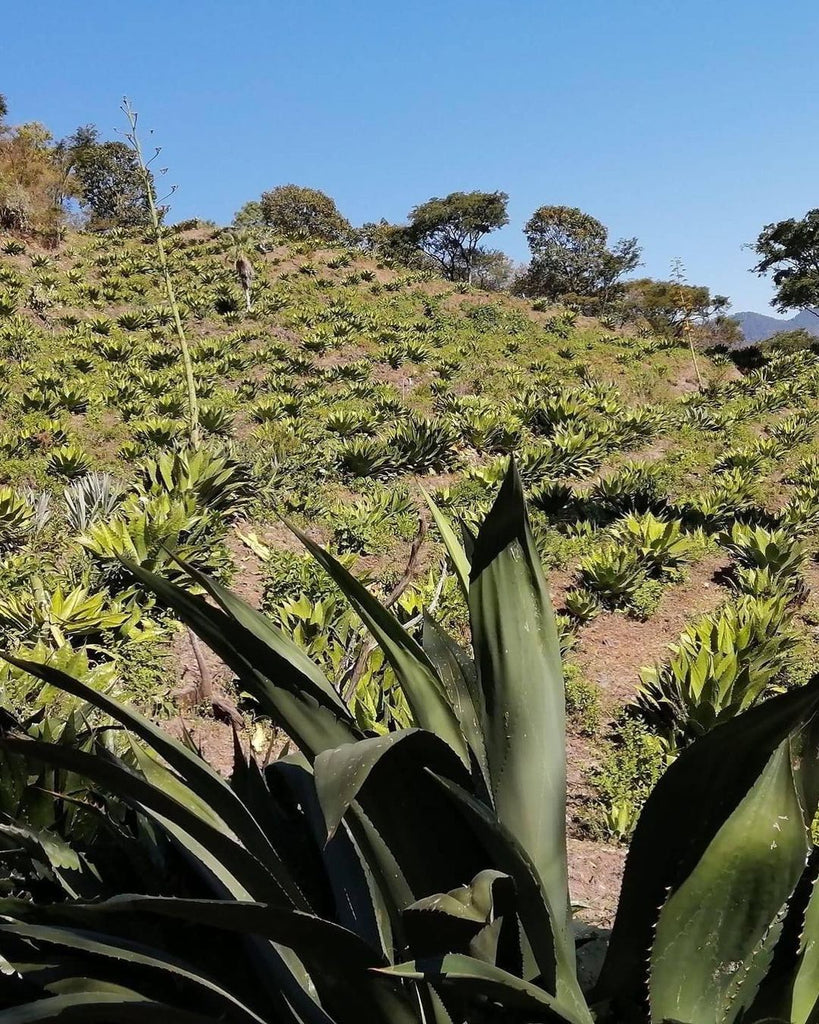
688, 124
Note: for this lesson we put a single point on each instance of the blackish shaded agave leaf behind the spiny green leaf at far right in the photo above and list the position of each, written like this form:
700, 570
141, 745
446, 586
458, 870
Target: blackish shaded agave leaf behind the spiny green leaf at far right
686, 812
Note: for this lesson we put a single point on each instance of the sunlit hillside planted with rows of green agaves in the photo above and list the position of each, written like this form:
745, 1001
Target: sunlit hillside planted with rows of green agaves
347, 389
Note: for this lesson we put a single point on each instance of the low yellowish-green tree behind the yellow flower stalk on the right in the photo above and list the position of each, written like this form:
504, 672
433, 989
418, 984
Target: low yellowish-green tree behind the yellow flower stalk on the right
669, 306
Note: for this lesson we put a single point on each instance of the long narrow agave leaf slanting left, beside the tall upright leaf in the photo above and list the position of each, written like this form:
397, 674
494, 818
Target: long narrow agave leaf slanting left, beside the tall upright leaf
425, 693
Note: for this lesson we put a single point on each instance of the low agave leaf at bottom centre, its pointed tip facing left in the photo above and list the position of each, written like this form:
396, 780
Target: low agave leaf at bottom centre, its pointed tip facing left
471, 977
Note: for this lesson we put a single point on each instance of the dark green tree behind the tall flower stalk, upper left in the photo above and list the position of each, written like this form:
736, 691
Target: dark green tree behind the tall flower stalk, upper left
109, 184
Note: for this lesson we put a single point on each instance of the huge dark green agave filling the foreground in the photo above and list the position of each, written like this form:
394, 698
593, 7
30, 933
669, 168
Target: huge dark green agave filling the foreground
420, 877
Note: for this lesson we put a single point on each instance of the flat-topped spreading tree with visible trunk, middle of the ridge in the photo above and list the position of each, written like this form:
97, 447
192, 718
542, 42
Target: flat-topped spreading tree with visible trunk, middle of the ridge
450, 230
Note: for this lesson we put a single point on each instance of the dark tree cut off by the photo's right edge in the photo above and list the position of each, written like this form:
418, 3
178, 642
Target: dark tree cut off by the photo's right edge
791, 250
